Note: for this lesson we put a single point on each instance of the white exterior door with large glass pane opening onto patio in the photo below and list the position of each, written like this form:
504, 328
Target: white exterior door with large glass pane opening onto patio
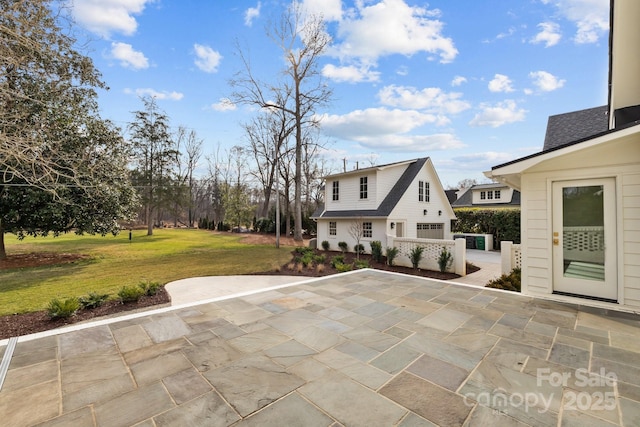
584, 238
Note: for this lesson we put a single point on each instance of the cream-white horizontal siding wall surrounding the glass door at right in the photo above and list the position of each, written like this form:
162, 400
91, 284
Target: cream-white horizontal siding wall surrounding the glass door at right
618, 159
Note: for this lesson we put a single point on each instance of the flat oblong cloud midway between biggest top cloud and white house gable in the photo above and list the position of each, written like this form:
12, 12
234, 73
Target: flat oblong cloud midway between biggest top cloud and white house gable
430, 99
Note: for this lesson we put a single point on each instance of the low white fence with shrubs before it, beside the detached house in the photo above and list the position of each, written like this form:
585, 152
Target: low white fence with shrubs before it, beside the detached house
432, 250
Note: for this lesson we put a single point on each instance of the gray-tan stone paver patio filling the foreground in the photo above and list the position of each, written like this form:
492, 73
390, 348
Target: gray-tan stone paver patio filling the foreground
362, 349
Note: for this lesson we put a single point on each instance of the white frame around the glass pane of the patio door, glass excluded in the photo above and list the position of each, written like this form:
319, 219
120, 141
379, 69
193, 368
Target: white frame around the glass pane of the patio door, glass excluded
592, 289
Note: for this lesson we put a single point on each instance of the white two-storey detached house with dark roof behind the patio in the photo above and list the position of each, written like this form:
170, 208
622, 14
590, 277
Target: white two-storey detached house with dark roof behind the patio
403, 199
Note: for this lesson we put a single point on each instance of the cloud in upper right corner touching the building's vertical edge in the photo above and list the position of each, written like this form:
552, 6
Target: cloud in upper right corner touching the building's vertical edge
591, 17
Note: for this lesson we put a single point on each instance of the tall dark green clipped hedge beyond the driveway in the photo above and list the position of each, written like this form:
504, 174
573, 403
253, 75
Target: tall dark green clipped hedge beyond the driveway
503, 224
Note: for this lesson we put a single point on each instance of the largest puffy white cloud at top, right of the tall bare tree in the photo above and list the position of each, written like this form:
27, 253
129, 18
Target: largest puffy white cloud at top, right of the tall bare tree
391, 27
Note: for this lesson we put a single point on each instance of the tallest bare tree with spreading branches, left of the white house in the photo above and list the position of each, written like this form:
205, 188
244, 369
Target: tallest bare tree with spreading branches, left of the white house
302, 39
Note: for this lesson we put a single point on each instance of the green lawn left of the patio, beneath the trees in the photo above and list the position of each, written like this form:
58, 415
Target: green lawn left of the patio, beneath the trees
114, 262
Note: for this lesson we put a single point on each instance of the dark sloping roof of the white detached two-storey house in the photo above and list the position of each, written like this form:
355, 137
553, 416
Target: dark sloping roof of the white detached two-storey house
392, 198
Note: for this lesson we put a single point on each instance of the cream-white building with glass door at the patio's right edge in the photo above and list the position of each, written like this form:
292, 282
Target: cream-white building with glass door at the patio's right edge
581, 194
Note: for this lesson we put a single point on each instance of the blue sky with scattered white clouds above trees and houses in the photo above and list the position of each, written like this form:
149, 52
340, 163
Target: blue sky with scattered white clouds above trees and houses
469, 83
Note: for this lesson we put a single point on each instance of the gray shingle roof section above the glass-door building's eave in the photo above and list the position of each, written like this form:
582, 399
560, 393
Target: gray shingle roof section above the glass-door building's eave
563, 129
